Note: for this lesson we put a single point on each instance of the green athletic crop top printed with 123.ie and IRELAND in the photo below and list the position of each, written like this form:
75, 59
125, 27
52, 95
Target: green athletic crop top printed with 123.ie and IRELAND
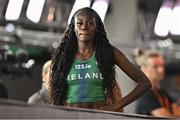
85, 82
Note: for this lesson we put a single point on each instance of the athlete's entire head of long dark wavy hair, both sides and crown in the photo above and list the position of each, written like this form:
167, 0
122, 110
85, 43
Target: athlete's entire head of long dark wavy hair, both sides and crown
63, 58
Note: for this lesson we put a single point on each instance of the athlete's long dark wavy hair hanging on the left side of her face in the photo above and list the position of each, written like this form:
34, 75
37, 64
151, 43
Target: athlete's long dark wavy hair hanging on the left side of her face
61, 63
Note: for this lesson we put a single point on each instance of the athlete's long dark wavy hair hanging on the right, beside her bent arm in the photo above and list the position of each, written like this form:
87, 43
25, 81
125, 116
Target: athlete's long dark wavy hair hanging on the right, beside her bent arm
105, 58
